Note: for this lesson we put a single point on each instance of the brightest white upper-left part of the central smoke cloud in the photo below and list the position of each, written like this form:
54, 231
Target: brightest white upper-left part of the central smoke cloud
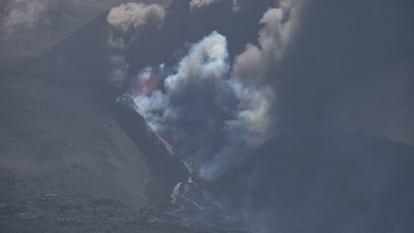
205, 64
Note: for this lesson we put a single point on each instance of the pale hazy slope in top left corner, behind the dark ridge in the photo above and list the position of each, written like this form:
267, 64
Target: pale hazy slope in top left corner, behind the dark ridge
25, 39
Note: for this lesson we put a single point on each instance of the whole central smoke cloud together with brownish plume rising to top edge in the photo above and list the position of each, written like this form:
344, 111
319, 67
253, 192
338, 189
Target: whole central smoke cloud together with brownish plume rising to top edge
212, 112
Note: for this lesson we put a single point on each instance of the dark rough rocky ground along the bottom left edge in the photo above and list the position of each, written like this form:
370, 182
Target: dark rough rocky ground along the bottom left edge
51, 213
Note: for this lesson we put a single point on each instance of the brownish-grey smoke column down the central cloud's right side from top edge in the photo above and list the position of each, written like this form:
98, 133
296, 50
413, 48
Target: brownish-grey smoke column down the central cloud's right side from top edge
254, 123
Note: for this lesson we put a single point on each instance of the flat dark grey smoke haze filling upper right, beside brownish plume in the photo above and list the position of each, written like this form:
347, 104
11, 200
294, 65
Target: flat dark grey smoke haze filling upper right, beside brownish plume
351, 66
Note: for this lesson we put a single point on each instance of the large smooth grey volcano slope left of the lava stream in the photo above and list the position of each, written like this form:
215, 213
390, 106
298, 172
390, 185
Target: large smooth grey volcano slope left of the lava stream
60, 142
